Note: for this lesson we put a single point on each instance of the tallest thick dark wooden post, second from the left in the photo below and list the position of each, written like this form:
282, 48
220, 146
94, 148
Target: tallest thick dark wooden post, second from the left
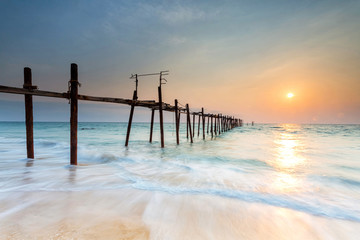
74, 84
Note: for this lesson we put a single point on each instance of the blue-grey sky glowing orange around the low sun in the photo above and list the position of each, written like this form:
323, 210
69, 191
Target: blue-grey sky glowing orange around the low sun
238, 58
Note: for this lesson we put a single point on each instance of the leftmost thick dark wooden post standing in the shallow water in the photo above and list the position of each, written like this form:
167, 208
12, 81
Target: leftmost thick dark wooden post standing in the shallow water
29, 114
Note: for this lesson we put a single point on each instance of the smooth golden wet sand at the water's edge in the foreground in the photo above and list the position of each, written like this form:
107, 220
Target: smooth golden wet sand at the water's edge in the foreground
134, 214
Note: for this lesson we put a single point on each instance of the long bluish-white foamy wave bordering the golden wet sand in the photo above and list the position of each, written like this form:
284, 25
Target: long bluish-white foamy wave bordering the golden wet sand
303, 204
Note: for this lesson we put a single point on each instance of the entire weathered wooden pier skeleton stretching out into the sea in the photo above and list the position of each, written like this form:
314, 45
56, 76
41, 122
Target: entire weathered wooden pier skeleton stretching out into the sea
218, 123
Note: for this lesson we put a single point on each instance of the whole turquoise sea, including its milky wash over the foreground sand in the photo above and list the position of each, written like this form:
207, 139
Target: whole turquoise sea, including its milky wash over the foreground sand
268, 181
